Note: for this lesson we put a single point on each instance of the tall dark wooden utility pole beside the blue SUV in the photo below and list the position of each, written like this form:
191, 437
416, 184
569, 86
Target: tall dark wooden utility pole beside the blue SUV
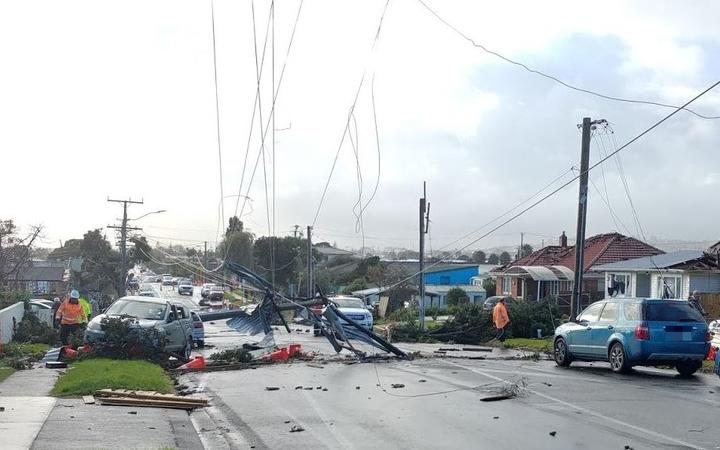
587, 126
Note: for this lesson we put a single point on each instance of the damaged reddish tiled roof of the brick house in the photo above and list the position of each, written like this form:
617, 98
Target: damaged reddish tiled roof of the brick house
599, 249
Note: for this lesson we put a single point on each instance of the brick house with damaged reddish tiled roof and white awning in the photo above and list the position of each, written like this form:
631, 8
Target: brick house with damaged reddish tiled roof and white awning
549, 272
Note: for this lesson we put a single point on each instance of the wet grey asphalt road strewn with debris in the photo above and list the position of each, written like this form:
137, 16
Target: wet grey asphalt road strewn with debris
585, 406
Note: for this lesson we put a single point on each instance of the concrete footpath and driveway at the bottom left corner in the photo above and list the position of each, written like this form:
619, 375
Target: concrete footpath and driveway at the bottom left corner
33, 419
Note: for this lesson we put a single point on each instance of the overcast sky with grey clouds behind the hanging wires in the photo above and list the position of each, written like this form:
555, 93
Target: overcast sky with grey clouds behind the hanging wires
117, 99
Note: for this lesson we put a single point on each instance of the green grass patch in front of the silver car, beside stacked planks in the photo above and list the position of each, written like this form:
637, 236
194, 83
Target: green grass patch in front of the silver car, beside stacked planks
85, 377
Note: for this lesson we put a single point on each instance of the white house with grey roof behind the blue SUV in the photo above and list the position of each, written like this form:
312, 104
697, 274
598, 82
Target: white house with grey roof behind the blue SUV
670, 275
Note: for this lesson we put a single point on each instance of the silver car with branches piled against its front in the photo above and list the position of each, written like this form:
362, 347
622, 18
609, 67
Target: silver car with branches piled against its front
171, 319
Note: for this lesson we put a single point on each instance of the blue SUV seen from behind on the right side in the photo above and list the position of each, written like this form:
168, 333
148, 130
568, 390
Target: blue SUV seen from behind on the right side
635, 332
